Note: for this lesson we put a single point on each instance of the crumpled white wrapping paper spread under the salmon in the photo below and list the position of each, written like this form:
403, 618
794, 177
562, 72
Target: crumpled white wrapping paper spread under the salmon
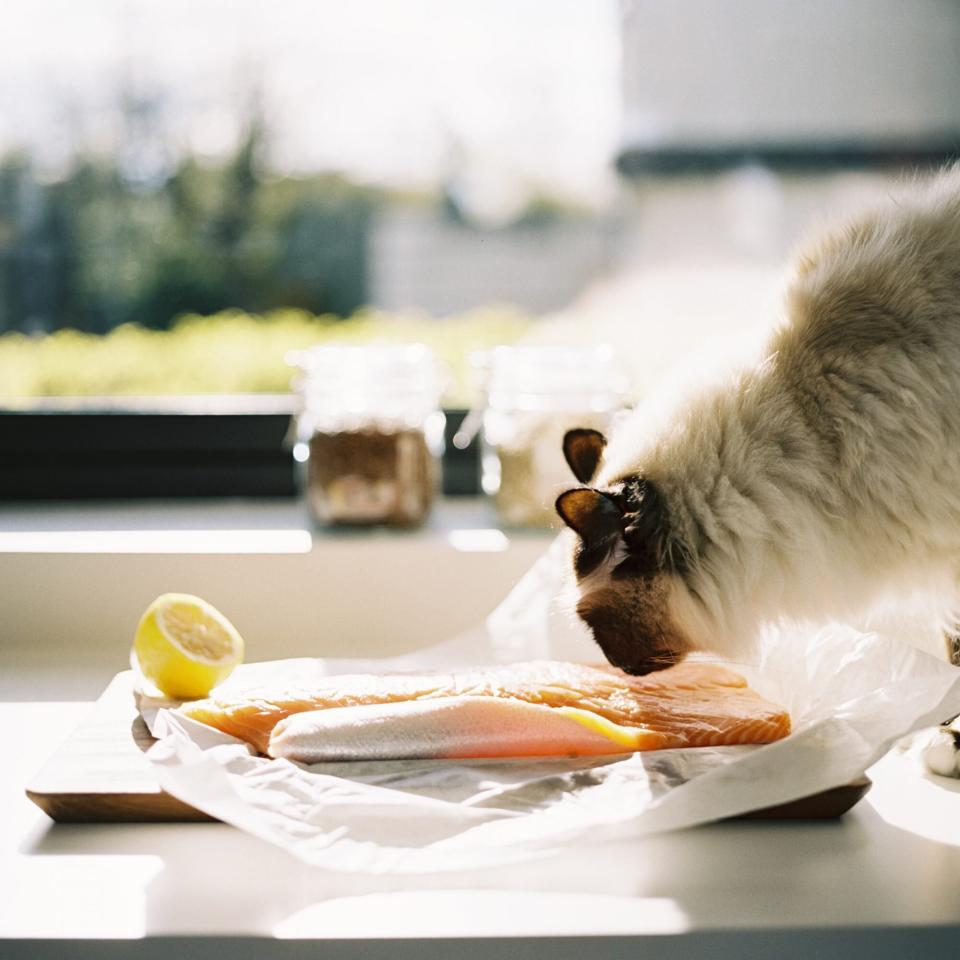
850, 695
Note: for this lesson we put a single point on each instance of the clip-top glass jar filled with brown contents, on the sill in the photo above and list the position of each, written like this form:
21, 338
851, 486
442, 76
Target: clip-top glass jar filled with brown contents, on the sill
369, 432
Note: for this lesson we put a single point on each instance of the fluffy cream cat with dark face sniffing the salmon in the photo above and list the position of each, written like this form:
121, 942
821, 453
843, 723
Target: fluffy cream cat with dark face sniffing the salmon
813, 479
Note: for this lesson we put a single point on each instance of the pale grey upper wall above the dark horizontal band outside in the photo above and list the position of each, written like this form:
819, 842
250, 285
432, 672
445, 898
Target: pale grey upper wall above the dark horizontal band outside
719, 71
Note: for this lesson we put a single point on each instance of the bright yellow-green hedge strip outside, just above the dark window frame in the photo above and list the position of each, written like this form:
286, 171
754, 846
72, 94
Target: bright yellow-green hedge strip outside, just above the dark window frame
233, 352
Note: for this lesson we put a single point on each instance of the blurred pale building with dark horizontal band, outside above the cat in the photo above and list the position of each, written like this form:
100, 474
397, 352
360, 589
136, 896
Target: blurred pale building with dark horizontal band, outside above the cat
748, 123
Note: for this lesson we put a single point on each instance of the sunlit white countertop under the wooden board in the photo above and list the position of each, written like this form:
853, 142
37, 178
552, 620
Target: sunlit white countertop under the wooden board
882, 881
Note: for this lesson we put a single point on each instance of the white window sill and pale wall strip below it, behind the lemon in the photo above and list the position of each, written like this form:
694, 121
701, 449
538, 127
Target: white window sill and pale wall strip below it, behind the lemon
77, 577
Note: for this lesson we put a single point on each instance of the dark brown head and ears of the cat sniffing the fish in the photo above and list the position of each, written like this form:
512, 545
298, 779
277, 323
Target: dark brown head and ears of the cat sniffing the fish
627, 563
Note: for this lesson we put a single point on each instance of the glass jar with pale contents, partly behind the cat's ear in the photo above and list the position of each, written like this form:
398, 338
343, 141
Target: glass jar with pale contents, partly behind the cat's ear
534, 395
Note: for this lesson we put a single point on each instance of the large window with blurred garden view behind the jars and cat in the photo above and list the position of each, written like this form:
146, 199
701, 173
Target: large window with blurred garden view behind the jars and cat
190, 190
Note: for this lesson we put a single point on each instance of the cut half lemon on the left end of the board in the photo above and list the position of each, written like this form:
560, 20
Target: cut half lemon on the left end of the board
185, 646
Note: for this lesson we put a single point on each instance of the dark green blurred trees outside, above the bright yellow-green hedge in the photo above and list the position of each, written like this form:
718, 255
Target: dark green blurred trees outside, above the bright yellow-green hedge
102, 246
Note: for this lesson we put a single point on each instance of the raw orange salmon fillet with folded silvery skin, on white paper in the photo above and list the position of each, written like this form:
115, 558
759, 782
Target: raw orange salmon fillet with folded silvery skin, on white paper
538, 708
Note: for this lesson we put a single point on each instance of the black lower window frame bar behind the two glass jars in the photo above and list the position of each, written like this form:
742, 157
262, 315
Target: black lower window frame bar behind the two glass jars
63, 449
